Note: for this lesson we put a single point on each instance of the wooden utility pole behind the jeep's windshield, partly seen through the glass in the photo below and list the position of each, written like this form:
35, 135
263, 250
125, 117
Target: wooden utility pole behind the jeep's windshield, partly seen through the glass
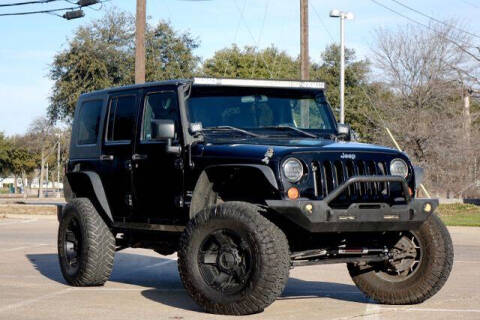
304, 58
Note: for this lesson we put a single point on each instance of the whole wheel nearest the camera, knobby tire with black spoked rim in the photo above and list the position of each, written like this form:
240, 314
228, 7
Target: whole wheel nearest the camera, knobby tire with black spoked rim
232, 260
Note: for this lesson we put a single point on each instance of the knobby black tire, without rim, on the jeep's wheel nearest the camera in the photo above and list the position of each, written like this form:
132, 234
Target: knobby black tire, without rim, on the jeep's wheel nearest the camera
270, 255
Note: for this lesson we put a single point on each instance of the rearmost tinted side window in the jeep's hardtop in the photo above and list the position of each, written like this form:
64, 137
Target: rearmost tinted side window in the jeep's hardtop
89, 122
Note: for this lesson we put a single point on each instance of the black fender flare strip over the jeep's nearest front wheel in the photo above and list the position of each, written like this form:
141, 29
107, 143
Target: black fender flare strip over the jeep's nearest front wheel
203, 192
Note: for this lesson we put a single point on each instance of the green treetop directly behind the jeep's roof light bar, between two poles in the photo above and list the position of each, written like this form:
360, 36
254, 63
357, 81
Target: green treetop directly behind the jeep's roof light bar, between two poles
234, 62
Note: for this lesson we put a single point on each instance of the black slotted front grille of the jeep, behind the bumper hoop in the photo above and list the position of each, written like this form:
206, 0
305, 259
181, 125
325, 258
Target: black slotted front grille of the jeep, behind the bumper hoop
330, 174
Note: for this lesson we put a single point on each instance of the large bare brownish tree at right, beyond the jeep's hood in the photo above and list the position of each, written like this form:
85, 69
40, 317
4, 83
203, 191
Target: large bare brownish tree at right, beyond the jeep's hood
424, 110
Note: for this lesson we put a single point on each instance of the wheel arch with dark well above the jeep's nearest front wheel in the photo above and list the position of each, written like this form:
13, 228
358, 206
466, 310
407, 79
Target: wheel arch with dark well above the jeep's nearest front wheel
254, 181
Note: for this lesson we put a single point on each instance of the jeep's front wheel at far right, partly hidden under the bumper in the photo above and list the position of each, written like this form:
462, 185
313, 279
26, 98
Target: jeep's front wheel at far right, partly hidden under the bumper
419, 266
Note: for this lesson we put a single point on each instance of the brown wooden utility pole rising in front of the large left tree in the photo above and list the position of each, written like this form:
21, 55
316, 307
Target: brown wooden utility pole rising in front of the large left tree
140, 22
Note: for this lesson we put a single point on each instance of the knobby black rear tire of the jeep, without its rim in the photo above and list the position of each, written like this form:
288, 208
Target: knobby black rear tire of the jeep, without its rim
96, 245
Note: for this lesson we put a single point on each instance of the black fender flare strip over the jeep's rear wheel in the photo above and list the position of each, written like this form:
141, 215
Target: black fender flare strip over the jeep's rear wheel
96, 186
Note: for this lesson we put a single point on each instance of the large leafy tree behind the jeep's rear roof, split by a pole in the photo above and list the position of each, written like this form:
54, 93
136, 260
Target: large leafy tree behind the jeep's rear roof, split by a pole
102, 54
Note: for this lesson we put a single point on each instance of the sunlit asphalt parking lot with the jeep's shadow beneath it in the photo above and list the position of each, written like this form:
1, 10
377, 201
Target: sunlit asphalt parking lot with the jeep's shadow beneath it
145, 285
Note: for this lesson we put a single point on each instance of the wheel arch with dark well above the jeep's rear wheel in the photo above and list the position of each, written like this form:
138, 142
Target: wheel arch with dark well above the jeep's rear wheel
88, 184
